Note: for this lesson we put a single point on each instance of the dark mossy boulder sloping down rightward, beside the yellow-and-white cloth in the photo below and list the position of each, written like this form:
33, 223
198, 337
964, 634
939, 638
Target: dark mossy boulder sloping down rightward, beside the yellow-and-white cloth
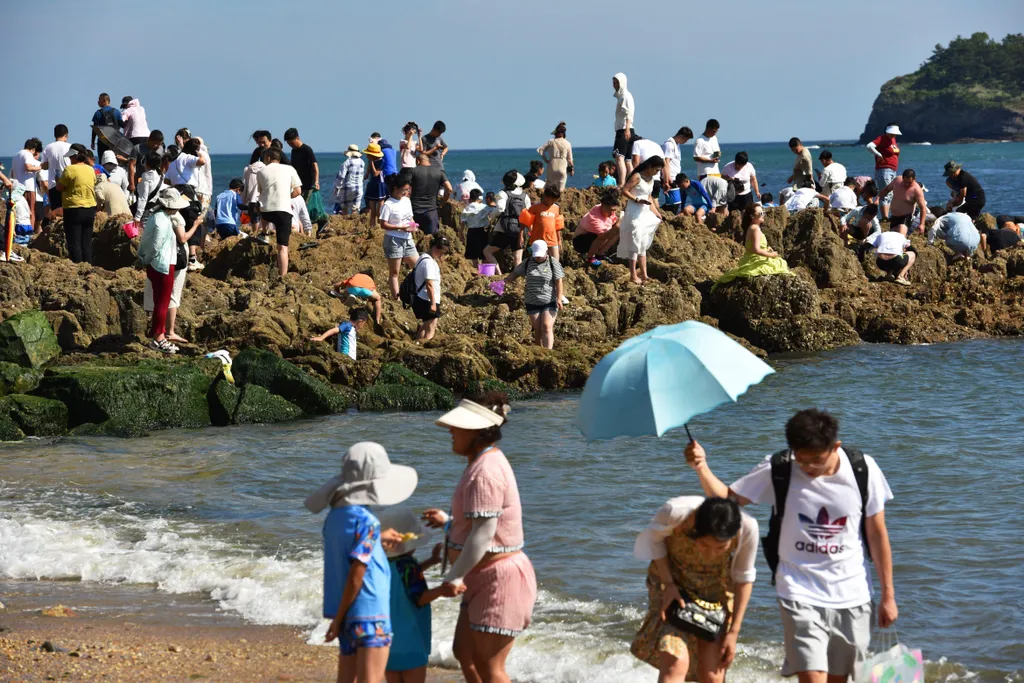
268, 370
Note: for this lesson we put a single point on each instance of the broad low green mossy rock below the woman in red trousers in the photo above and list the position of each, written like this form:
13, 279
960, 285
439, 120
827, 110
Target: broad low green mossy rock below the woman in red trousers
132, 401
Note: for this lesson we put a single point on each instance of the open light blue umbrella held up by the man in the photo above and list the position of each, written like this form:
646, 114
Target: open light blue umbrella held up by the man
660, 380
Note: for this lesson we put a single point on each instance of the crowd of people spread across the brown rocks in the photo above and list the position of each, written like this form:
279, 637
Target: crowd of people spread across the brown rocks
401, 190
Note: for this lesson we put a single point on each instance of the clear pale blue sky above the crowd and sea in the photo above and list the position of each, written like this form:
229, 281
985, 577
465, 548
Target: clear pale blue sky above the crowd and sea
500, 75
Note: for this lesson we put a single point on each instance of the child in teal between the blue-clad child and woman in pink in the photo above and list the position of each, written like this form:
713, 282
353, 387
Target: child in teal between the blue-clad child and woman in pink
410, 599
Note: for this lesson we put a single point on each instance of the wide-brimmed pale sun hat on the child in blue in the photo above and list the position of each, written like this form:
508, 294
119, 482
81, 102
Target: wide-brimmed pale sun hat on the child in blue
368, 478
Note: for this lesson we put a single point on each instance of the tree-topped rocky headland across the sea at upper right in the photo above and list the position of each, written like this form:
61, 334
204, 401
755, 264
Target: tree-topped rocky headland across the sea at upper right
971, 91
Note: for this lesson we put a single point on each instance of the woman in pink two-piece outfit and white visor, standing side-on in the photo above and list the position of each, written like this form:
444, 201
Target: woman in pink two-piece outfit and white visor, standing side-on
485, 542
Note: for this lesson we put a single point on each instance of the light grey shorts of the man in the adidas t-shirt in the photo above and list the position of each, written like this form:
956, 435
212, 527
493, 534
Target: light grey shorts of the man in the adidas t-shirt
824, 639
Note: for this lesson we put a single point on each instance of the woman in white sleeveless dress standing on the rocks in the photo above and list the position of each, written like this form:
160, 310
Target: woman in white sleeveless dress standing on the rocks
642, 219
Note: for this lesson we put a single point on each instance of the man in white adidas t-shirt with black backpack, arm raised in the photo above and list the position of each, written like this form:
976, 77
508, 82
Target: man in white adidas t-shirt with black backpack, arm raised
823, 582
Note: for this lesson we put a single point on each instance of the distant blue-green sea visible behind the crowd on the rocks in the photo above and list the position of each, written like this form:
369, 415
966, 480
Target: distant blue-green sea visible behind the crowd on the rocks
999, 166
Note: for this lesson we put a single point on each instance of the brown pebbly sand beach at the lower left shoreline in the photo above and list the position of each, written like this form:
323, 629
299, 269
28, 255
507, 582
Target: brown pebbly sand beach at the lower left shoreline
86, 647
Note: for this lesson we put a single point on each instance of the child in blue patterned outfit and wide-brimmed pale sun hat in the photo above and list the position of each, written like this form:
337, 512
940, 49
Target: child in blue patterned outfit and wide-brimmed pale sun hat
357, 575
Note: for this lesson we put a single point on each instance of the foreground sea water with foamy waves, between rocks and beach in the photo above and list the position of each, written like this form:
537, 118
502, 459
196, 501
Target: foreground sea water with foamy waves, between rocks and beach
216, 516
